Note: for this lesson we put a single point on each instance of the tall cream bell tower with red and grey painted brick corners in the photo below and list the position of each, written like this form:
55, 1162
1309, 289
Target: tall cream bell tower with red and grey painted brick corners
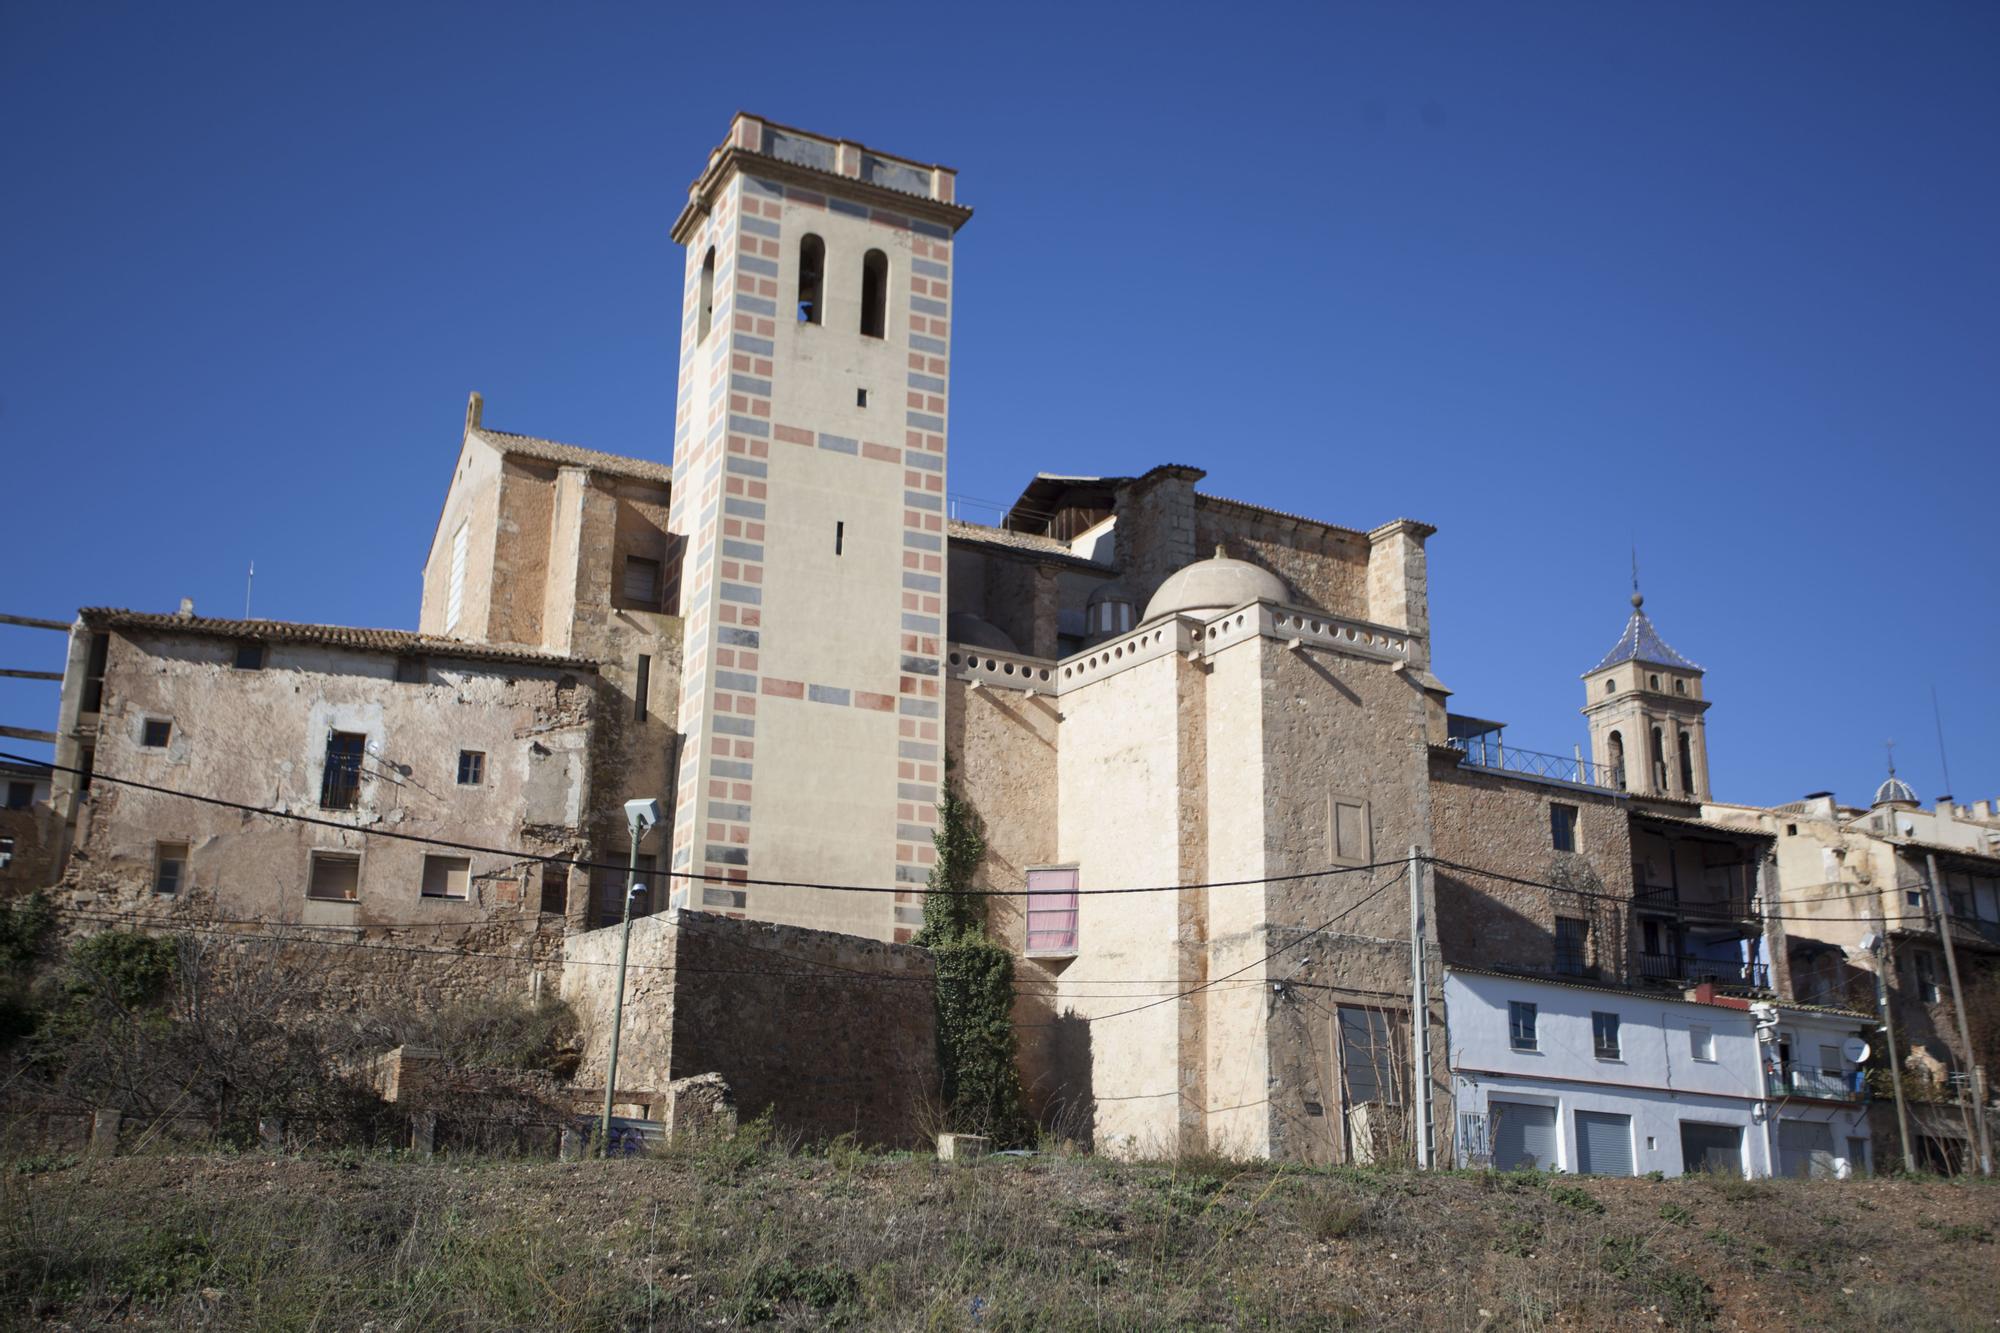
809, 493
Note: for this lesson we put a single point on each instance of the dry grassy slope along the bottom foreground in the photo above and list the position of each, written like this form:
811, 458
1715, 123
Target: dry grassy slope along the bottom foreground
761, 1232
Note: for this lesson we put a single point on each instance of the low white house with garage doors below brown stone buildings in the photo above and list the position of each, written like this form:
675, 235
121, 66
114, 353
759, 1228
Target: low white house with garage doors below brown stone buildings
1609, 1082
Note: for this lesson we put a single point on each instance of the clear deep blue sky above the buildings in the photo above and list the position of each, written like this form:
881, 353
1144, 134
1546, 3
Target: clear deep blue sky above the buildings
1717, 281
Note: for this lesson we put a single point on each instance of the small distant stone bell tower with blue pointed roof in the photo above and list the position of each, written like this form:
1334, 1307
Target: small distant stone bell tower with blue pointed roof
1645, 708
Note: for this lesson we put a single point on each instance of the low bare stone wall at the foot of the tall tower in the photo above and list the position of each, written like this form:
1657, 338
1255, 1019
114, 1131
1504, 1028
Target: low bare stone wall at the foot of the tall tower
831, 1034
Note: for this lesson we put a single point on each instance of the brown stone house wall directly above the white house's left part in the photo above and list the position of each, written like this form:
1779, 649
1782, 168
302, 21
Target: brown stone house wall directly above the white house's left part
1503, 824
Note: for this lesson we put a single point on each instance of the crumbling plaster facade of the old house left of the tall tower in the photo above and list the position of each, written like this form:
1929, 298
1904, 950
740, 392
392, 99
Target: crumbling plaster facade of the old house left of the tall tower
259, 738
